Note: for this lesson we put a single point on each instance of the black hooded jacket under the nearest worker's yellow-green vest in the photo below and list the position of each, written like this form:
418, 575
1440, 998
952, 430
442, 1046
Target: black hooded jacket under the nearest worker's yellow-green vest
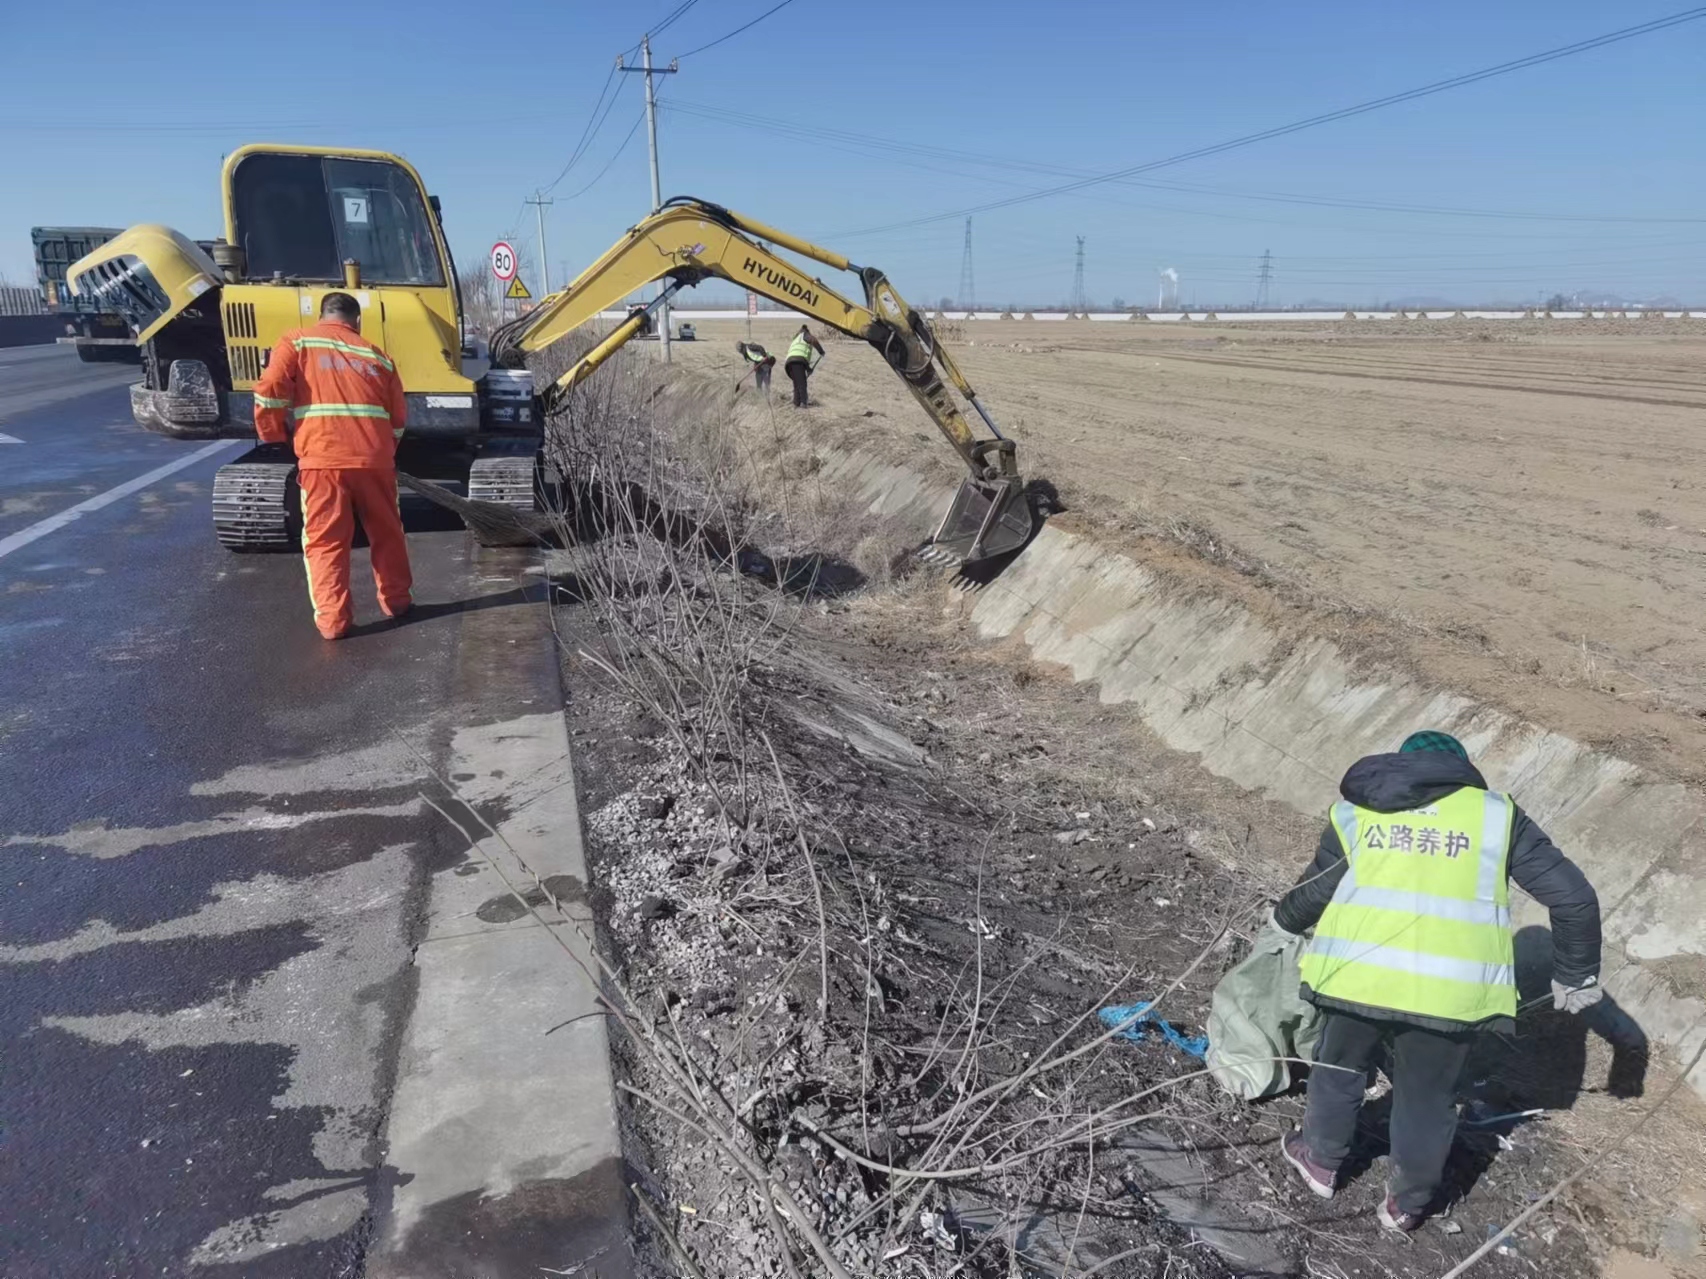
1396, 784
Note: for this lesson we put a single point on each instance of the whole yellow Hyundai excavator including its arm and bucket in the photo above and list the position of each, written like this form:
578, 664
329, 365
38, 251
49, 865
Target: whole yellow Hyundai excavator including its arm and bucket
306, 221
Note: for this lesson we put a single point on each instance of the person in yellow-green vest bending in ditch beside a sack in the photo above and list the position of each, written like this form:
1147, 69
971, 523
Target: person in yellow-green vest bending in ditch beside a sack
1410, 901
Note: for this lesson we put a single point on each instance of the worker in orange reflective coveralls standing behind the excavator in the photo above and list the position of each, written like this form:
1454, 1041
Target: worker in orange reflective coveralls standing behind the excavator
345, 400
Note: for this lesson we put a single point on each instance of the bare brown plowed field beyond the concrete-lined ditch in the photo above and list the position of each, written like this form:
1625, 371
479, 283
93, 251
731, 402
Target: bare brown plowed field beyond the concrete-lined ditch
1521, 504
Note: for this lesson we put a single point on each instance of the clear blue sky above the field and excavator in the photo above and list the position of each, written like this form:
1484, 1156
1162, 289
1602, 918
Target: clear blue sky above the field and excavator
966, 105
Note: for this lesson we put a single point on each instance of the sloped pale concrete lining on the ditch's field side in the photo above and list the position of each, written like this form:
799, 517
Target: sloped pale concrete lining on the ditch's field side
1285, 719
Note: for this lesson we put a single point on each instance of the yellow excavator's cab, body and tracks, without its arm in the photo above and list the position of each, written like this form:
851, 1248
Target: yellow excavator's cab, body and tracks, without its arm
303, 223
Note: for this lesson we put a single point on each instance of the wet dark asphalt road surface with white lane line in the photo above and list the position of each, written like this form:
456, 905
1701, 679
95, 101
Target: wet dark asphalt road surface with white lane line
216, 855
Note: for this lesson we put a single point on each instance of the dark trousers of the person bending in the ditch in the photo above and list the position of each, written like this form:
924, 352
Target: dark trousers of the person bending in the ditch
1425, 1072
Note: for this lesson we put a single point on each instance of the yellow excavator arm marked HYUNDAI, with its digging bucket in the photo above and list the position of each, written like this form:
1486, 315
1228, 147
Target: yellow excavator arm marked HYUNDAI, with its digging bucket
688, 241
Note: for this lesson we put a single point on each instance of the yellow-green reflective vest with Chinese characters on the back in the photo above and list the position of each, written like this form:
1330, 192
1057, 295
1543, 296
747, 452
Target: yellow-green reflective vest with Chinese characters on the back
1422, 920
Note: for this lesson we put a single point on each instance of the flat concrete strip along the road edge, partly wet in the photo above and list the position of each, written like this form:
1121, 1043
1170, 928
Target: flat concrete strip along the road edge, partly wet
502, 1142
